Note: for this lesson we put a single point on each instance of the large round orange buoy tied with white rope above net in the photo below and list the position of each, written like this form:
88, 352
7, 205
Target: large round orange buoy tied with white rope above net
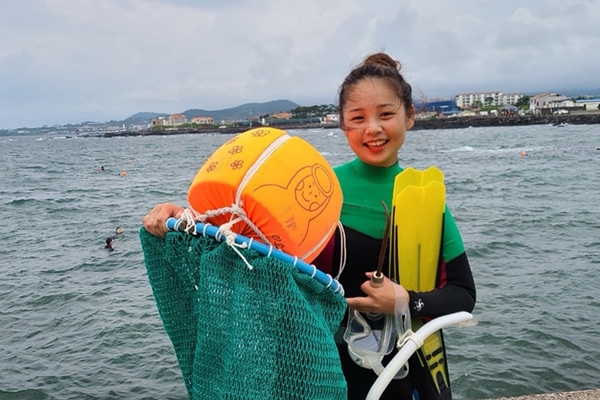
278, 188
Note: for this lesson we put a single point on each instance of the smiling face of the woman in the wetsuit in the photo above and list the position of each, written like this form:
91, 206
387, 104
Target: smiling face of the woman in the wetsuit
375, 122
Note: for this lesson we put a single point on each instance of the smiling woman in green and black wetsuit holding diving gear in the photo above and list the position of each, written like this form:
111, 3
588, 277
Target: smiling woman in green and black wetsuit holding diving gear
376, 111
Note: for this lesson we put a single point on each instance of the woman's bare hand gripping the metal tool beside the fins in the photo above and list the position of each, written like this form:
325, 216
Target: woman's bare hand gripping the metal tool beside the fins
381, 300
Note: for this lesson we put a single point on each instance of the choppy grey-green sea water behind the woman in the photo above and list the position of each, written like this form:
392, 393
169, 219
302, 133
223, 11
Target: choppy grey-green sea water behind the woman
79, 322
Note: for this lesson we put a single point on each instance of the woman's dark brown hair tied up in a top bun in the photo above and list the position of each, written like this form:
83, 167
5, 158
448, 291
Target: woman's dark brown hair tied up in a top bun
382, 66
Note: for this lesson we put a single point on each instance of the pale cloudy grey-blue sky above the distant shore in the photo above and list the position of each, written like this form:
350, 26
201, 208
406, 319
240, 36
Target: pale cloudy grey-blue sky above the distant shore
70, 61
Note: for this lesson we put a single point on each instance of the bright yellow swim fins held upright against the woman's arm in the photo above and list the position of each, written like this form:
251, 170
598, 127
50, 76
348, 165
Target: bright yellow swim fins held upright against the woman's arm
415, 244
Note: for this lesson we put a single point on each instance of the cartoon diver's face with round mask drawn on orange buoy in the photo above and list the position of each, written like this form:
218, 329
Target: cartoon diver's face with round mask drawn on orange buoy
315, 187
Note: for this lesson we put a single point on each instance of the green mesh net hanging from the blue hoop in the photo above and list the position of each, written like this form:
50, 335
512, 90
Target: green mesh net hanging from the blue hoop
241, 333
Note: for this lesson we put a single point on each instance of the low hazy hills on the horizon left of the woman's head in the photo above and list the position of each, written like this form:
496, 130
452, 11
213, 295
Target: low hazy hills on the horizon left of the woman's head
239, 113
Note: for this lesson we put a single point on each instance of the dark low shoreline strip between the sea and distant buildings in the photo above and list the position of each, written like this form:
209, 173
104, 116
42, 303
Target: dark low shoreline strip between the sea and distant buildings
442, 123
